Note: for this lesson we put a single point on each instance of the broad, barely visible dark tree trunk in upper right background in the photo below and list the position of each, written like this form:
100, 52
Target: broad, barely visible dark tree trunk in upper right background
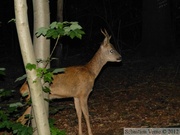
157, 28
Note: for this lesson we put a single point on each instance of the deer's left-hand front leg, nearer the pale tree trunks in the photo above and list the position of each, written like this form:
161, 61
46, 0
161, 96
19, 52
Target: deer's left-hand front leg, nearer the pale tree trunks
79, 114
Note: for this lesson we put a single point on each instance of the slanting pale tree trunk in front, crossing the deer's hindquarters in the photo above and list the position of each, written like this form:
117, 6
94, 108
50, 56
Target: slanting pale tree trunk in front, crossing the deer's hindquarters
29, 57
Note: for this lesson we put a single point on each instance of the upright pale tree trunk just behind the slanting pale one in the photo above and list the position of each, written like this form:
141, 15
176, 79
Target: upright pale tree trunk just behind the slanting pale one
41, 44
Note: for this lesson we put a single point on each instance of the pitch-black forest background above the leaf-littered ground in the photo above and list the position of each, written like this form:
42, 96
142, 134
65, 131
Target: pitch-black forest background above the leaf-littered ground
148, 28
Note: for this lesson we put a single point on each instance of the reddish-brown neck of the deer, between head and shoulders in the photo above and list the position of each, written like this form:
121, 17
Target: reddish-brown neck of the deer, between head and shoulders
96, 63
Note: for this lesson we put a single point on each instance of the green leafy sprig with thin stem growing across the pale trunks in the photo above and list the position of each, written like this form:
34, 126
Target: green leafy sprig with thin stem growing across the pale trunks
55, 31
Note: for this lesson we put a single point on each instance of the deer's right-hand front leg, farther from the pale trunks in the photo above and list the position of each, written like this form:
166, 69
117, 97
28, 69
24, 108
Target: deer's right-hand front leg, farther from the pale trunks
84, 107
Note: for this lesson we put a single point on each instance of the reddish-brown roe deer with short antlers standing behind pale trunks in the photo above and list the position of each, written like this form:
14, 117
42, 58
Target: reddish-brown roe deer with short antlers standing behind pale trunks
78, 81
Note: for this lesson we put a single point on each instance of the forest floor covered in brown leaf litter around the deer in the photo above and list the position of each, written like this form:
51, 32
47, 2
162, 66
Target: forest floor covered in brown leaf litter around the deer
133, 94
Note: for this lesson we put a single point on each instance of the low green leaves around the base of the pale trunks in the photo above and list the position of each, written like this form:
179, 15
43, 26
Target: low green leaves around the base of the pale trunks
8, 125
